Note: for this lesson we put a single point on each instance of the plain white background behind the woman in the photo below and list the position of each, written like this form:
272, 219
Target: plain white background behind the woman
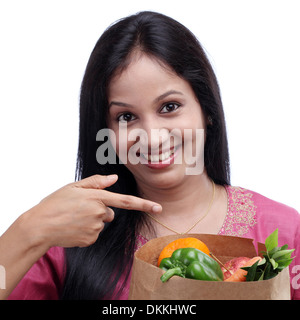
45, 45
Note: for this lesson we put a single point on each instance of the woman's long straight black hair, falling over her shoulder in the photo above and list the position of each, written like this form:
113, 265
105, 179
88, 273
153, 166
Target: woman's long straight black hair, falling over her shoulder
93, 272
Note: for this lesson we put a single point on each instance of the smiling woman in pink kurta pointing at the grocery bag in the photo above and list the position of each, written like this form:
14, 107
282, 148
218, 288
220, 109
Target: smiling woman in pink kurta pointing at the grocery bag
146, 72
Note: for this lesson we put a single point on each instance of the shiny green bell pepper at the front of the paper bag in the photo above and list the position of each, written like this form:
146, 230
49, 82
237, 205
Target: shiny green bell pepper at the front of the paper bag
191, 263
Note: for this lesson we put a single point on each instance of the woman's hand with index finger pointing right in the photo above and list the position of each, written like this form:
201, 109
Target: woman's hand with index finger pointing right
75, 214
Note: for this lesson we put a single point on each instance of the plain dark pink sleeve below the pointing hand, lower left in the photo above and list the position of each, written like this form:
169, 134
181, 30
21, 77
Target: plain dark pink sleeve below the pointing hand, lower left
44, 280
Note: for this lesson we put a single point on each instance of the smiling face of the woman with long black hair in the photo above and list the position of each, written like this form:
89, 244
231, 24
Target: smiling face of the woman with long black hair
149, 101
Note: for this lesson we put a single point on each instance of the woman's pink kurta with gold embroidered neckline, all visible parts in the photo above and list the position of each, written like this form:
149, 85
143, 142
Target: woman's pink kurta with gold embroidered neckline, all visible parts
249, 215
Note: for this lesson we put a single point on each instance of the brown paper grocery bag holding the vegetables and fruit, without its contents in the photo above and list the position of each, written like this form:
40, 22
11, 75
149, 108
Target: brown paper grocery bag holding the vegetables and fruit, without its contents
146, 284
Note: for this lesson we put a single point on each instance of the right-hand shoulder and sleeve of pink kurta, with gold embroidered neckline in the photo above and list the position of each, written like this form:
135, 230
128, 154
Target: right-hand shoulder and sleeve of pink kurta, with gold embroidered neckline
252, 215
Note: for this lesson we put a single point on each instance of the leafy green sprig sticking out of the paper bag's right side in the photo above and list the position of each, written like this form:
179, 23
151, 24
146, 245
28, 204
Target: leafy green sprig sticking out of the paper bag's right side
275, 260
